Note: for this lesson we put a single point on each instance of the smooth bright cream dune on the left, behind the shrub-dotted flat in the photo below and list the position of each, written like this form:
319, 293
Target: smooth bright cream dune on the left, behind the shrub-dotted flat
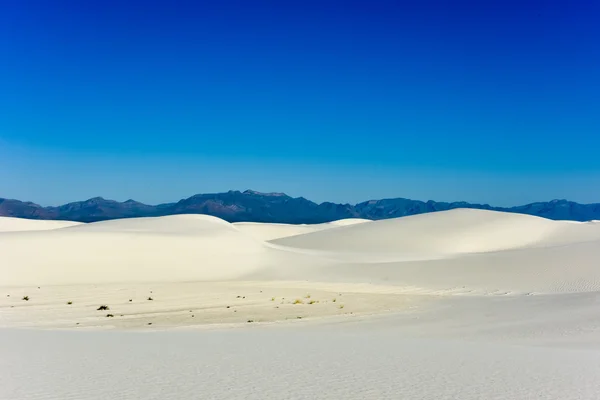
174, 248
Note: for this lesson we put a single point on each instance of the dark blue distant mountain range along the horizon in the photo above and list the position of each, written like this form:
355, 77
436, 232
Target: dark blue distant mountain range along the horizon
236, 206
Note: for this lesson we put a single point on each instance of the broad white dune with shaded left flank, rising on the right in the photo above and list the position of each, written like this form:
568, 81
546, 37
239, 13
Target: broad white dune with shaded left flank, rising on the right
449, 232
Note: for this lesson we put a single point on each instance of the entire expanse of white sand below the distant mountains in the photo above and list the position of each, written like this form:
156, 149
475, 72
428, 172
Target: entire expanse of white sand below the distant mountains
462, 304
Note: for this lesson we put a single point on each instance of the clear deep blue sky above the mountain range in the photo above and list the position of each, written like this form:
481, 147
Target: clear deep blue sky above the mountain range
487, 101
